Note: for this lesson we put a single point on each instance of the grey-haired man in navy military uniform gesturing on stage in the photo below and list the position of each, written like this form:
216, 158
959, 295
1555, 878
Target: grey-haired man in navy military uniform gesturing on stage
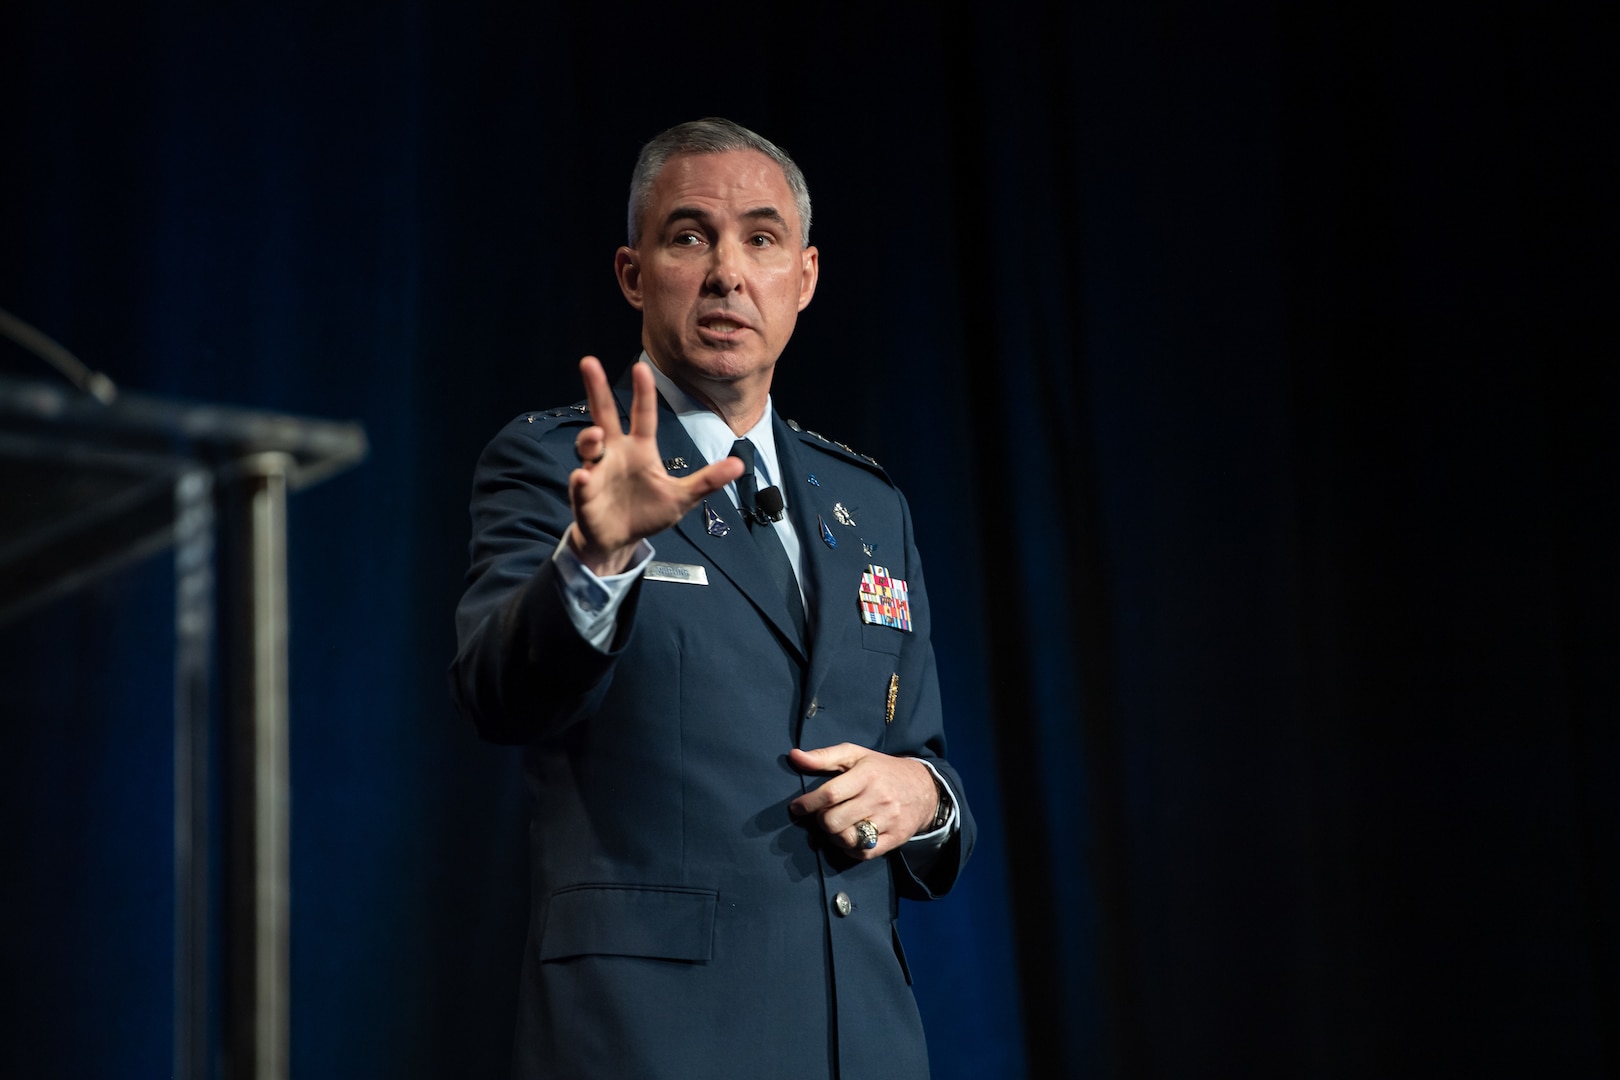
709, 629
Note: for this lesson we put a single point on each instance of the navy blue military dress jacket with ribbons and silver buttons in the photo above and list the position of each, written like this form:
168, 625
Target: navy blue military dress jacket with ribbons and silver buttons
683, 925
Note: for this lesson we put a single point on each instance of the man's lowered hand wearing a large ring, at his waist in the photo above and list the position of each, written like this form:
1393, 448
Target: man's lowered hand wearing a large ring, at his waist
895, 794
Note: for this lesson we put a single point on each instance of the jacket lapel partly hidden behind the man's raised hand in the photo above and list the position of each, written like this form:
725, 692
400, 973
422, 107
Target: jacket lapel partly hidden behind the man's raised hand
733, 555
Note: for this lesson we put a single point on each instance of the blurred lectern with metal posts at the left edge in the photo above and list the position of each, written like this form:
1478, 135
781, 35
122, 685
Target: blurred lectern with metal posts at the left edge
90, 488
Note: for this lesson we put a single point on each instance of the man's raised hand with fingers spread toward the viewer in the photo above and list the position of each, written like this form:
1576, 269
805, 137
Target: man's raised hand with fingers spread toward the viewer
621, 493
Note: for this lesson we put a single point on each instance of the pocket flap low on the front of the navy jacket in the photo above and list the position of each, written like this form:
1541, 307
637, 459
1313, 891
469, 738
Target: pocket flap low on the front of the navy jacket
659, 922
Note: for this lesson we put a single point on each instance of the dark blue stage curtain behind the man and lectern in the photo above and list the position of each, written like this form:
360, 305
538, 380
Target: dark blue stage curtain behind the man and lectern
1247, 368
